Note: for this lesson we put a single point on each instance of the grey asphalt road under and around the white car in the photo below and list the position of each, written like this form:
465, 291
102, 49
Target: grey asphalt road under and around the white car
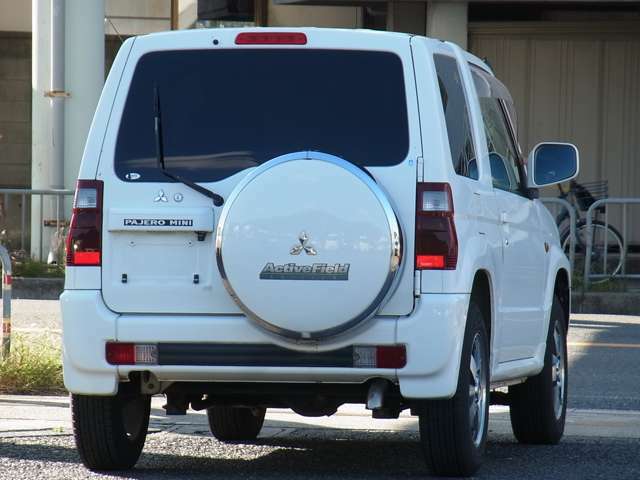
602, 439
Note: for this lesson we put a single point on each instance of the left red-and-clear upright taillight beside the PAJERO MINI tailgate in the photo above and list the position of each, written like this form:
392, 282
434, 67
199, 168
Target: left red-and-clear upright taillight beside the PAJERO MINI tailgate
84, 241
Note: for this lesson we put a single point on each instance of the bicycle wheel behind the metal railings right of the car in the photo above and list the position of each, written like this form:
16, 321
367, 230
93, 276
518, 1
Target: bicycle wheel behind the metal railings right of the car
607, 253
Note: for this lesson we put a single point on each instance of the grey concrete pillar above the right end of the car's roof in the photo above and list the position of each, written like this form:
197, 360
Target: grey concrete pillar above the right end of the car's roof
448, 21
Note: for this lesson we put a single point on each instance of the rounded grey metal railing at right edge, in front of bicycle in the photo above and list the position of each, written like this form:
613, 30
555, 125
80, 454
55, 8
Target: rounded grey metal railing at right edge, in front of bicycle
625, 202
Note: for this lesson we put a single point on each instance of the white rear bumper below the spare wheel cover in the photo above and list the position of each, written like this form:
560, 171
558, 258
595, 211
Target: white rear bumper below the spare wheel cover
432, 335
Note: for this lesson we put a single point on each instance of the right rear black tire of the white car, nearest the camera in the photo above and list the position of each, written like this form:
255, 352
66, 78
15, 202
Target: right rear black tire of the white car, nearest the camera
446, 434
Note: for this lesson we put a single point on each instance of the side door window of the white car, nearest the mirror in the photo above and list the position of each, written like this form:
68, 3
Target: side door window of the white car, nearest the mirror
504, 158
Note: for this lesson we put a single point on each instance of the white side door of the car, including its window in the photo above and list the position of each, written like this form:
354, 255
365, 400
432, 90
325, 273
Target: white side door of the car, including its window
520, 302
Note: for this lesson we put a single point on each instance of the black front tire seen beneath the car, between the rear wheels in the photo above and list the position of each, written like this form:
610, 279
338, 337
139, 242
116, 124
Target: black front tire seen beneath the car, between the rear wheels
231, 424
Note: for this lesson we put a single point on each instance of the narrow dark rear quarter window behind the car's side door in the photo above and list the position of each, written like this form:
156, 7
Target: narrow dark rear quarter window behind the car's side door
456, 116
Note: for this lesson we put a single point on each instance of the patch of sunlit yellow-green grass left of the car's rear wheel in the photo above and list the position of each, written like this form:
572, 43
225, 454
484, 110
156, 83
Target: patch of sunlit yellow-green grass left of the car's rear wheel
33, 366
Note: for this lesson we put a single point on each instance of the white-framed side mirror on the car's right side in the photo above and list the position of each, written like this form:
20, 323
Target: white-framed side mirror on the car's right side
551, 163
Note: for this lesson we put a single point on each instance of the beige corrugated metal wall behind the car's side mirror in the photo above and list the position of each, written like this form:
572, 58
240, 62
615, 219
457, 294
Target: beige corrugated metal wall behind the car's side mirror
577, 82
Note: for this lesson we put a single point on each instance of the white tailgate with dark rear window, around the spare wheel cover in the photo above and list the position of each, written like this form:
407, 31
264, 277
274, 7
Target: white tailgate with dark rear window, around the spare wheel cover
224, 112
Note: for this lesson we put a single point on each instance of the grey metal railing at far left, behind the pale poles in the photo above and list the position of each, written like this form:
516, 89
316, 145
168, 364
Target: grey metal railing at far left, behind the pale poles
43, 222
